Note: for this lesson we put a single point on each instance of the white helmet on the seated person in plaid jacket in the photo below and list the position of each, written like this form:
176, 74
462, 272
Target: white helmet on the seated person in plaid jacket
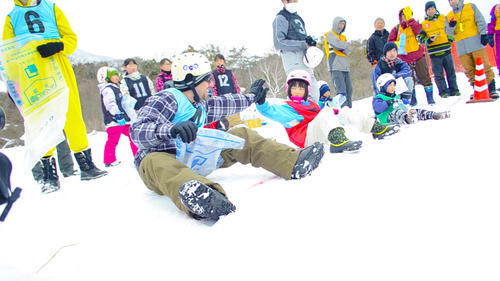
189, 70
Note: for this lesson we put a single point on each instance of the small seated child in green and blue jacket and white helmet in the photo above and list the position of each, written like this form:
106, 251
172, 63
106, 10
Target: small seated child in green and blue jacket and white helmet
390, 110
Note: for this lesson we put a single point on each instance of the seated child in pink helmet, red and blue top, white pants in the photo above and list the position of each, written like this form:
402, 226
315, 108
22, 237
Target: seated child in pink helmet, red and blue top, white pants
303, 119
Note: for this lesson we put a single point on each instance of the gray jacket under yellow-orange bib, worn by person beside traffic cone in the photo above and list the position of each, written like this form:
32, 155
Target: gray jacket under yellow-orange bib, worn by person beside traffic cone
473, 43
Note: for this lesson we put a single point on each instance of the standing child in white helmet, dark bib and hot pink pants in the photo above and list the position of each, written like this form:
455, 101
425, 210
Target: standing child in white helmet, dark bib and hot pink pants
116, 120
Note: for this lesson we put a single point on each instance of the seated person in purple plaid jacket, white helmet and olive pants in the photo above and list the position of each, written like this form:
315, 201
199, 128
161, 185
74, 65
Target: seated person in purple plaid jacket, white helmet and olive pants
177, 113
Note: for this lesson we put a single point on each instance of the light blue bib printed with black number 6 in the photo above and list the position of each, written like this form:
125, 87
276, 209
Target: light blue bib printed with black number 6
39, 20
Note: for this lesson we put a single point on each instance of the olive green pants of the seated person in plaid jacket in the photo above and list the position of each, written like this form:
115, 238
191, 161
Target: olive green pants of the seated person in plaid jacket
163, 174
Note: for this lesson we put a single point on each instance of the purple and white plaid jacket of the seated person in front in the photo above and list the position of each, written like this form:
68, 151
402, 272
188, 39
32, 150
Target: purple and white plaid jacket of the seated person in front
151, 131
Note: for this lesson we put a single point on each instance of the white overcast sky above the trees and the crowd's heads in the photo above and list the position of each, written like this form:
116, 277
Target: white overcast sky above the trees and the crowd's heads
153, 29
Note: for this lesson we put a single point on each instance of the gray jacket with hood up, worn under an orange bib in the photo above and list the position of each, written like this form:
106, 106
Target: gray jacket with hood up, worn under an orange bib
337, 62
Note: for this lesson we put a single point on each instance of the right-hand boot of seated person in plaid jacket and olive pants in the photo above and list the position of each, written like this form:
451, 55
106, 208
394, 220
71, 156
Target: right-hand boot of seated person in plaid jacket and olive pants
308, 160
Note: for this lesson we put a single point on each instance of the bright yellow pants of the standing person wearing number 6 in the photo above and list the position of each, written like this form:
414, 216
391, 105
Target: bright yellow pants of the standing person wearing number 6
75, 129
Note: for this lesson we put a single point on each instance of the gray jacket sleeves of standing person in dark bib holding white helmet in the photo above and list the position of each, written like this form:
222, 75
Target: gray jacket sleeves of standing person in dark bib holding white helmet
281, 43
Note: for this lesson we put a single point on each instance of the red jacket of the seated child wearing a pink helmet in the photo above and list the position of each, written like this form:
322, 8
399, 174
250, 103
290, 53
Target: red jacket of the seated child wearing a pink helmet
298, 133
